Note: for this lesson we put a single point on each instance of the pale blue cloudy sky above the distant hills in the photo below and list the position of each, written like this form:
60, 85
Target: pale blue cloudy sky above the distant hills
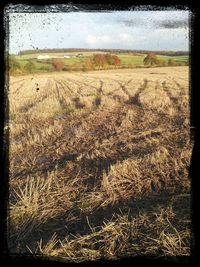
142, 30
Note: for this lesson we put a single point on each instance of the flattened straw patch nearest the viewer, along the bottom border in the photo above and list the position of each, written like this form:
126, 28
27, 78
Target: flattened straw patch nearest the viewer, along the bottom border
119, 237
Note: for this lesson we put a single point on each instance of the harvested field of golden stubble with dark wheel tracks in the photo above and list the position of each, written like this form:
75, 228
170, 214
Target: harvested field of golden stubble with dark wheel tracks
99, 164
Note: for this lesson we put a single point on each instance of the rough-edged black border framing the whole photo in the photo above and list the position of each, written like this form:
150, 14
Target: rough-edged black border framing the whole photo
35, 6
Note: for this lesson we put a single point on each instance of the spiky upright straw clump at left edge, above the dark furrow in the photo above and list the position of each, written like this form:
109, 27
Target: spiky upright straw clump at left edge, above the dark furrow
29, 208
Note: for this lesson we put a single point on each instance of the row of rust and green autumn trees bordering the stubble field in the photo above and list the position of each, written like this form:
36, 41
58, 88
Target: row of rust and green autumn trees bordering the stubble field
97, 61
